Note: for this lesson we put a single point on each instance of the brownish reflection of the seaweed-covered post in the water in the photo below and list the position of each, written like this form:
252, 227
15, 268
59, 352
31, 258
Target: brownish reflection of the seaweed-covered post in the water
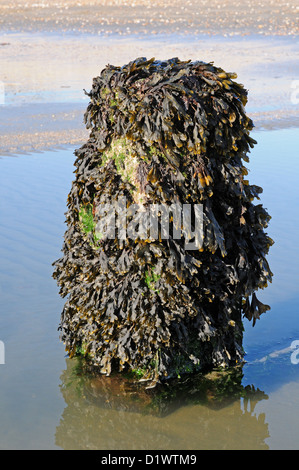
194, 413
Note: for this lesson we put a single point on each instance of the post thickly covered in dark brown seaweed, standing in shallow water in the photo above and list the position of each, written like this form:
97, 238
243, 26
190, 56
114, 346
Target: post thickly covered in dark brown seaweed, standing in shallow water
164, 134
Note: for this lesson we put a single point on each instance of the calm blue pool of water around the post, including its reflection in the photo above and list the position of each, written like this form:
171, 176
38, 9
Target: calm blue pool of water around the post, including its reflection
45, 404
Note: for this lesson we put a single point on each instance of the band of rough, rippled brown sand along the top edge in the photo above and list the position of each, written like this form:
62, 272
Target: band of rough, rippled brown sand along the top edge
152, 17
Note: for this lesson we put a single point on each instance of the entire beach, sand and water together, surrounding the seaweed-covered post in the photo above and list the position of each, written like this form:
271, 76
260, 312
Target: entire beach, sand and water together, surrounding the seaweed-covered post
49, 54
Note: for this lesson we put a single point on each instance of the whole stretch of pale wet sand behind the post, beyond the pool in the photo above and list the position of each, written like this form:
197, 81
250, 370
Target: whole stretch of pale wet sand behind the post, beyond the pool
49, 53
